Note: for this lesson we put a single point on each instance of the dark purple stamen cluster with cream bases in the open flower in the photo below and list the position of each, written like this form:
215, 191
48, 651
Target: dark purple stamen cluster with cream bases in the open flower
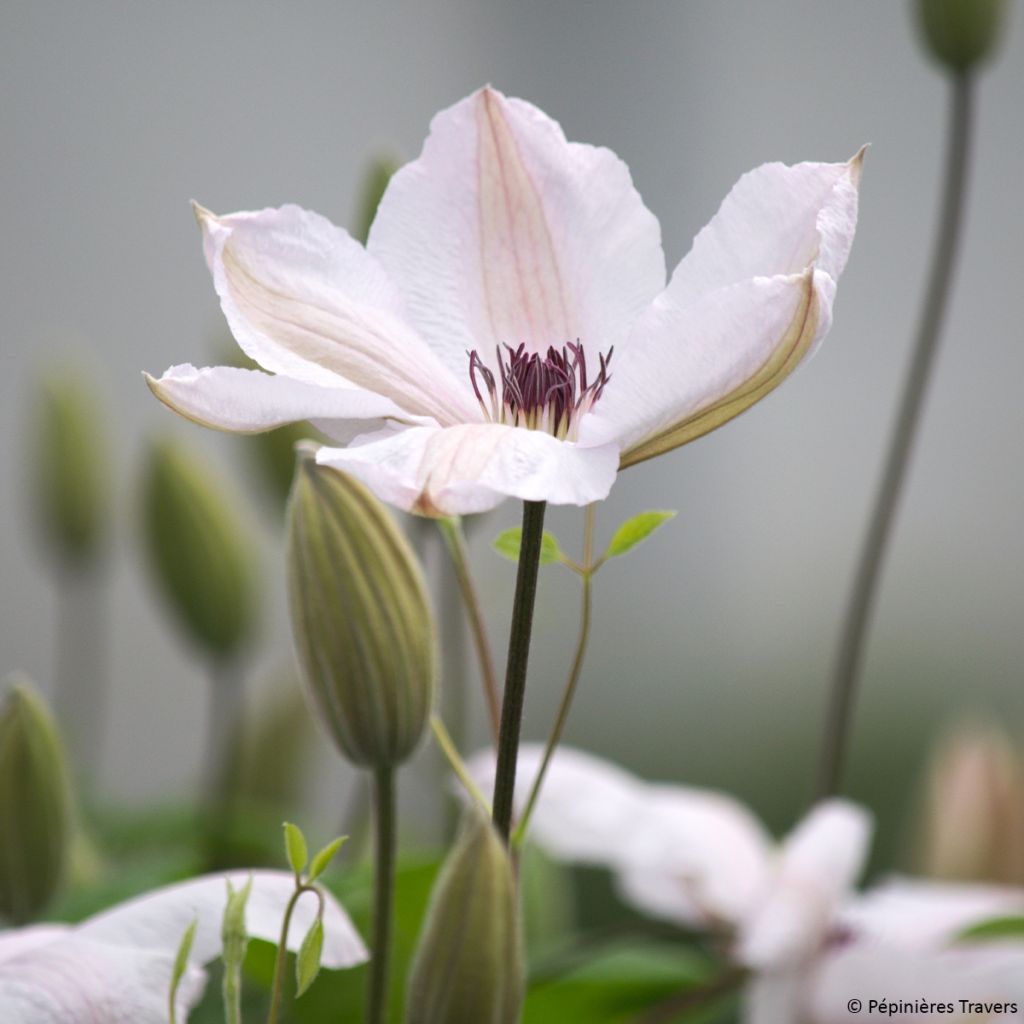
540, 393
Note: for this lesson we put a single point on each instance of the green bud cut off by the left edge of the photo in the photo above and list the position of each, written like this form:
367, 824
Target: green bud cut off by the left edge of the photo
35, 805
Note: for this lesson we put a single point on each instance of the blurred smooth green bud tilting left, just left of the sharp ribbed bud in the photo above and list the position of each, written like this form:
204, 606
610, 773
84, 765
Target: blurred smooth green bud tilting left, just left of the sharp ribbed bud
199, 549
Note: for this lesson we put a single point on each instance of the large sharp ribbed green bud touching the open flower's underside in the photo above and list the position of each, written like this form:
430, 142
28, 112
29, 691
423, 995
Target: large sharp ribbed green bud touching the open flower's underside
364, 632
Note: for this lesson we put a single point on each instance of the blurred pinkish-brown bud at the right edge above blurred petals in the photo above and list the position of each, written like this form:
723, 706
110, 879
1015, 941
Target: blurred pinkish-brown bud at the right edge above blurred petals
973, 828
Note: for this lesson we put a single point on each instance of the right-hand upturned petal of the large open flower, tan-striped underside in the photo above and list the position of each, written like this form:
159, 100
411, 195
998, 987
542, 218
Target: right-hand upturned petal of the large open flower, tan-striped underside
752, 301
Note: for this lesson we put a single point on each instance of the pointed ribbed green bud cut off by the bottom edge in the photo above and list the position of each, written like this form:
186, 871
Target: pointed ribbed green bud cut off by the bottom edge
470, 964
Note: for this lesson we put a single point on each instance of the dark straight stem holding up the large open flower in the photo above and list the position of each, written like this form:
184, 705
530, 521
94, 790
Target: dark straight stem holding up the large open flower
516, 672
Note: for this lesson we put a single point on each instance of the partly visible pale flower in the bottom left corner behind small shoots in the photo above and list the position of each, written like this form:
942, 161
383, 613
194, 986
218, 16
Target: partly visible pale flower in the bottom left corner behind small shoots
116, 967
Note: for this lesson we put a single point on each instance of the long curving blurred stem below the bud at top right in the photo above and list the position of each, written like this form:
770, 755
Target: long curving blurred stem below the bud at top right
865, 590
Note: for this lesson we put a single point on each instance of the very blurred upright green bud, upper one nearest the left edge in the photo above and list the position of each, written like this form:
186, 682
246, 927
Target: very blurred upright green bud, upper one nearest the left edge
71, 468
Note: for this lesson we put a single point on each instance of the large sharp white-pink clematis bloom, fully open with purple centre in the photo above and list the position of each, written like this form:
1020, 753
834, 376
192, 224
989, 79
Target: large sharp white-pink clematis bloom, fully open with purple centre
508, 330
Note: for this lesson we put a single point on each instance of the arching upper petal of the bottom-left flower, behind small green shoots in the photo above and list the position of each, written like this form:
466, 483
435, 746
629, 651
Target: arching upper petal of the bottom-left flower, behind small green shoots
157, 921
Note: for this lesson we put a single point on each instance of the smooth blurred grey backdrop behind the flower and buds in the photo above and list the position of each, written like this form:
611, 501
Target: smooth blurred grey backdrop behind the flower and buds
714, 643
